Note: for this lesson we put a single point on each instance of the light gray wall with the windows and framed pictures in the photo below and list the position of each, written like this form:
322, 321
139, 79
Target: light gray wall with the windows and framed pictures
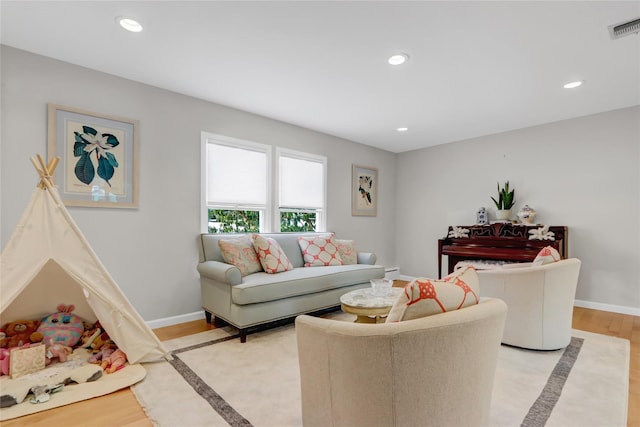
151, 251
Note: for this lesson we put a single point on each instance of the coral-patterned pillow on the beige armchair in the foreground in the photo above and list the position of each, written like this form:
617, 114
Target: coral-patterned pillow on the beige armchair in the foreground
423, 297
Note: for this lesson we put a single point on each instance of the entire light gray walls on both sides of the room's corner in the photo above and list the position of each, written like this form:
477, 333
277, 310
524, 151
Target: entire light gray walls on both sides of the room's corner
583, 173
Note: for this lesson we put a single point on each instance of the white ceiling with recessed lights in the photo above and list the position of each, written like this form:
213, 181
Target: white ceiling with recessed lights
476, 68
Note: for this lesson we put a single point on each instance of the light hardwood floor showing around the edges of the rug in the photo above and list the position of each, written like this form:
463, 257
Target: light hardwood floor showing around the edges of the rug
122, 408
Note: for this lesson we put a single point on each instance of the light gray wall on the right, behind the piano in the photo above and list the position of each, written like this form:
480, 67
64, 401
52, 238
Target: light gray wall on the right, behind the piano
583, 173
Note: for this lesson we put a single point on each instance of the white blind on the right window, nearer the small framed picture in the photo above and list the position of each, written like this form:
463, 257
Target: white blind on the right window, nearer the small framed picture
301, 183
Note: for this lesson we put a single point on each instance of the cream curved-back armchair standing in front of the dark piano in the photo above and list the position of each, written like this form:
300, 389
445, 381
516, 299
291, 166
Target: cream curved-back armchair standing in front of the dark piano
540, 301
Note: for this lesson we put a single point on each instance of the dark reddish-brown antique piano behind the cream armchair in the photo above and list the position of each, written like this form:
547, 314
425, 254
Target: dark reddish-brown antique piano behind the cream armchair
500, 241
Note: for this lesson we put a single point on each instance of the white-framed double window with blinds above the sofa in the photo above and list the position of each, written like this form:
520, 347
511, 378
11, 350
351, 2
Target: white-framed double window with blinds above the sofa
237, 188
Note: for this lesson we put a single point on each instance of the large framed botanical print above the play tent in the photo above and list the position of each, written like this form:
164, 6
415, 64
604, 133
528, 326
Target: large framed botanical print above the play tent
99, 157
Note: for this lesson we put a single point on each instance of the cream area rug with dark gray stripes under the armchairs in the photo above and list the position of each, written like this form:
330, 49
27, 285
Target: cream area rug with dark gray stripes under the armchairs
214, 380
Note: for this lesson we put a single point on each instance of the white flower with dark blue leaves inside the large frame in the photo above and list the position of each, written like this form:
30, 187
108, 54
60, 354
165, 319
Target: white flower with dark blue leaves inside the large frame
89, 143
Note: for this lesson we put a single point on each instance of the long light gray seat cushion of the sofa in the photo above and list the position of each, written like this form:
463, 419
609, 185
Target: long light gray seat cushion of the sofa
263, 287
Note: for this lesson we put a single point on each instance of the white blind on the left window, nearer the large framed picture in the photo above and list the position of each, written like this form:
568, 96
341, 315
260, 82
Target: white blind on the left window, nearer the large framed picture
236, 176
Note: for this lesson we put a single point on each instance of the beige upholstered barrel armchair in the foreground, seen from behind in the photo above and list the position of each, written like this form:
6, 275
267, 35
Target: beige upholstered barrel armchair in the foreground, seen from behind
432, 371
